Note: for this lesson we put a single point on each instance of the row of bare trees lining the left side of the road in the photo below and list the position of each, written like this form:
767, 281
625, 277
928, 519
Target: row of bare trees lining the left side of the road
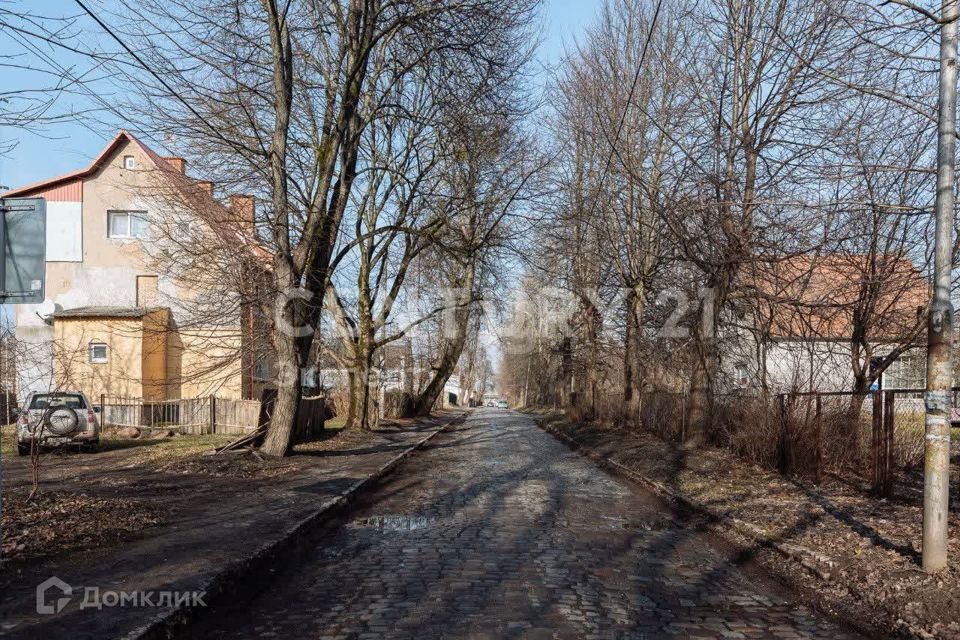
383, 145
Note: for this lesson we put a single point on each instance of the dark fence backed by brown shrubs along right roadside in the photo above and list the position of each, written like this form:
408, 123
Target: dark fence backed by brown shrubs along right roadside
878, 436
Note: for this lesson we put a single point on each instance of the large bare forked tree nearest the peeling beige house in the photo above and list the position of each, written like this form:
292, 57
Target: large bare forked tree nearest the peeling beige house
277, 96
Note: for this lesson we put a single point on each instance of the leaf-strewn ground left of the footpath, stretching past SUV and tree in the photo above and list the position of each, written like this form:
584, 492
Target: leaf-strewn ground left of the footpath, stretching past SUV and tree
129, 485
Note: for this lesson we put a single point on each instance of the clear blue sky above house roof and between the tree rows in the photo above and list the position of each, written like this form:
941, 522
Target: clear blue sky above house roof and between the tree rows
68, 146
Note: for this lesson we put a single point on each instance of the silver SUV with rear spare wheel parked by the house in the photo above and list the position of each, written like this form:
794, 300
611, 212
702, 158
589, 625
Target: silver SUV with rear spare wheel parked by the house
58, 419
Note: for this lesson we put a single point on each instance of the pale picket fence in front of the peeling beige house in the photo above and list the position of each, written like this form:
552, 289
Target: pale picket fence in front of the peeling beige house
188, 415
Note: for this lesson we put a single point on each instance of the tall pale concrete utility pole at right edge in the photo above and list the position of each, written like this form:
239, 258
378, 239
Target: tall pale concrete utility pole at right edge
936, 476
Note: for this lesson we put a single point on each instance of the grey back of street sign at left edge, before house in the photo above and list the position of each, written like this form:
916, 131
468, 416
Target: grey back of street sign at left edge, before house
23, 247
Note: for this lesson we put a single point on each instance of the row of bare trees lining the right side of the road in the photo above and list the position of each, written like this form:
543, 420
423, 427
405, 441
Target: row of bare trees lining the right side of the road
737, 184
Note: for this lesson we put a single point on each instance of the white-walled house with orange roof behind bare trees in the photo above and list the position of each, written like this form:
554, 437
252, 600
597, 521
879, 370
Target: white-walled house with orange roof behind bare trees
815, 319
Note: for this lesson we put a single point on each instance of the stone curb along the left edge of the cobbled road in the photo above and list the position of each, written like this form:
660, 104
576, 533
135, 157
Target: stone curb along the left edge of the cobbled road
164, 624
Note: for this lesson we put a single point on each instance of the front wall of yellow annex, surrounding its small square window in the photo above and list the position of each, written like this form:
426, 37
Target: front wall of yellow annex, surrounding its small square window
121, 375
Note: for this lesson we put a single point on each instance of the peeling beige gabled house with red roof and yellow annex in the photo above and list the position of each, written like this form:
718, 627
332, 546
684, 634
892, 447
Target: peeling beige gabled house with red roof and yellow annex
121, 316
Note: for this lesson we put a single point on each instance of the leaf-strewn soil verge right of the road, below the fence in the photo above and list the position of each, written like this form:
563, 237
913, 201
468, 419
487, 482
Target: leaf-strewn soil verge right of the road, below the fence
858, 556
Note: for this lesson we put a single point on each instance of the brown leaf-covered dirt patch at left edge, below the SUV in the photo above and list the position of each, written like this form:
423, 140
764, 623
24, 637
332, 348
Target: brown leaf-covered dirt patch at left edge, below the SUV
56, 522
